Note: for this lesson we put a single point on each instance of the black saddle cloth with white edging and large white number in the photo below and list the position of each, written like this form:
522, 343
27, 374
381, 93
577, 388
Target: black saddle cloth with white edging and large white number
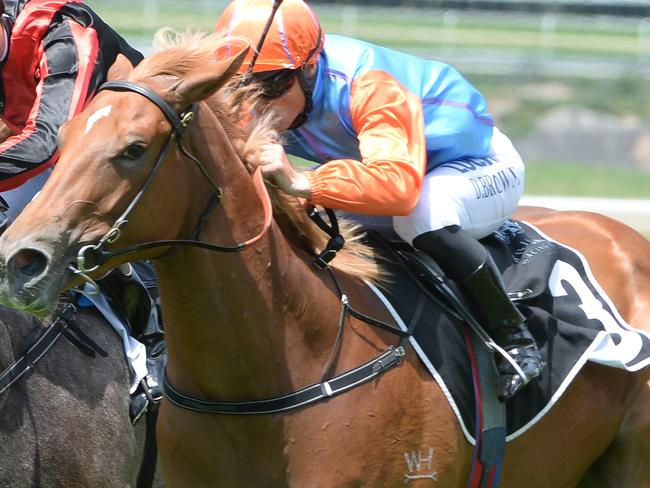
569, 314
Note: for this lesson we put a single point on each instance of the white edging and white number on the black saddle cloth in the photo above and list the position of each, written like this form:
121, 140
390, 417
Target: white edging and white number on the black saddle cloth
617, 346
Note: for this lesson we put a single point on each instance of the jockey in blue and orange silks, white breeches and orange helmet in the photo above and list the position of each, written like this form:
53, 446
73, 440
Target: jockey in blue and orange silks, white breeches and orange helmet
394, 135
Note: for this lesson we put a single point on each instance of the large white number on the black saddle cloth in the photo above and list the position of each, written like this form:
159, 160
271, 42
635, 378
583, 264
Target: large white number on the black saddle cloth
609, 351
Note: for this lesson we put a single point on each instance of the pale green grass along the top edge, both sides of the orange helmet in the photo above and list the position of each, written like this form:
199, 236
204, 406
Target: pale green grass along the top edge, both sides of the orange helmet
424, 31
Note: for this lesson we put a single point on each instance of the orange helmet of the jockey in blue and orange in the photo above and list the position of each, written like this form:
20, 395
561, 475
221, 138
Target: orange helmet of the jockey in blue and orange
294, 39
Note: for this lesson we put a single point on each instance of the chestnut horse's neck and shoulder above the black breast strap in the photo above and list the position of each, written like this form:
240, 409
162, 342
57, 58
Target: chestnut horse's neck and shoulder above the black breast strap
237, 323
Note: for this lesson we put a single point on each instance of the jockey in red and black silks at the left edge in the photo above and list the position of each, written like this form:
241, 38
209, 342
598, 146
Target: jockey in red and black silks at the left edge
54, 54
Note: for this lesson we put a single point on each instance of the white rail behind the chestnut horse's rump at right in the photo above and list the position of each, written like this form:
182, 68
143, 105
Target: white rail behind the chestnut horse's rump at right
635, 213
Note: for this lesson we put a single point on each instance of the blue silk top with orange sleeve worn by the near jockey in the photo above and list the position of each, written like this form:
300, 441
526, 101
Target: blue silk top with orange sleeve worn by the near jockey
381, 120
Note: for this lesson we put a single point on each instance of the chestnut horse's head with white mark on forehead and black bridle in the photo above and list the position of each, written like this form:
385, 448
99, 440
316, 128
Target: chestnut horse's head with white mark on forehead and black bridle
108, 154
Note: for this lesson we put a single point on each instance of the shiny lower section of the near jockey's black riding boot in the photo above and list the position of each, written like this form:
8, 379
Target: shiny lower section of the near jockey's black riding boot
506, 326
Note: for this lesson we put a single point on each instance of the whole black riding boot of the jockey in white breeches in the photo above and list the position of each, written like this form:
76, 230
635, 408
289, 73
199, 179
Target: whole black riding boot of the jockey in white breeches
464, 260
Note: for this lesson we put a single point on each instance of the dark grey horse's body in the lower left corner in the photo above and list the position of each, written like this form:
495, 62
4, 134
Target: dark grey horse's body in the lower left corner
66, 423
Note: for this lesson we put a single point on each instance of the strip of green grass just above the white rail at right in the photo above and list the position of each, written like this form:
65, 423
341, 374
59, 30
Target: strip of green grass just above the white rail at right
569, 179
